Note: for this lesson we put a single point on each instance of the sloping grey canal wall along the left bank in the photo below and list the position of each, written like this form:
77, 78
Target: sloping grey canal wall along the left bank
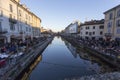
25, 61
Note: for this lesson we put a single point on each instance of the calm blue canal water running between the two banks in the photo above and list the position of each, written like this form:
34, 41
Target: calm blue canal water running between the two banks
61, 60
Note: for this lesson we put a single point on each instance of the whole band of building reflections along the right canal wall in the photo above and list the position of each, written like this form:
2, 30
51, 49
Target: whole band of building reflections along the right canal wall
96, 64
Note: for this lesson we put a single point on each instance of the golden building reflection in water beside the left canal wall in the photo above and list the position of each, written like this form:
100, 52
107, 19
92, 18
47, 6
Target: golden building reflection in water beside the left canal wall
30, 68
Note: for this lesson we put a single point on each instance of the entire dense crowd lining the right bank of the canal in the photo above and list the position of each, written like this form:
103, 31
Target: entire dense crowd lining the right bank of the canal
108, 47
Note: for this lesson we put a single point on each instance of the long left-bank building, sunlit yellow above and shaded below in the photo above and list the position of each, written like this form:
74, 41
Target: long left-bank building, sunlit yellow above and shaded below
17, 22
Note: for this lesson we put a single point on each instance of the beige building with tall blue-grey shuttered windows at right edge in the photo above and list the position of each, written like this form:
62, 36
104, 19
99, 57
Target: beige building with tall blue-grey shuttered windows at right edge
112, 23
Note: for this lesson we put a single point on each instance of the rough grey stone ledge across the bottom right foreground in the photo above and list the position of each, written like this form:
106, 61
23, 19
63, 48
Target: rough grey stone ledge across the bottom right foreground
106, 76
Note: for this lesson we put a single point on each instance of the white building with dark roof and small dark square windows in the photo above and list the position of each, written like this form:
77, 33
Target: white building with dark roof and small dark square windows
92, 29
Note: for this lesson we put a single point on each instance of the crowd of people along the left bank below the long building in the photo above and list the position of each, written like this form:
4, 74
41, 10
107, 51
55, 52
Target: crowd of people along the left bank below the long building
19, 46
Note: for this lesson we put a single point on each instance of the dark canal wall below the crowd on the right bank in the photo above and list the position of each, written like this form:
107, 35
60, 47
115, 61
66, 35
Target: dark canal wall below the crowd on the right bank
113, 61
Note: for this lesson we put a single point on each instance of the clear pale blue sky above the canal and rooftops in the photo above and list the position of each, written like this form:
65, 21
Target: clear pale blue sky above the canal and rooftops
58, 14
